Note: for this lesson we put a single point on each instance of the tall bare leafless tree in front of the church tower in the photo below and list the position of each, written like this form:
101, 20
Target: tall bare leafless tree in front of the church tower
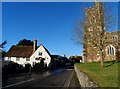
97, 39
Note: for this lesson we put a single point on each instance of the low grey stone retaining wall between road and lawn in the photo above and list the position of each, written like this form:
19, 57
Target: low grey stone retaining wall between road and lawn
84, 80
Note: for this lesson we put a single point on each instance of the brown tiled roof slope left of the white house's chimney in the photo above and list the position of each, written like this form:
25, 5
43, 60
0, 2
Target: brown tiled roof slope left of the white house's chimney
20, 51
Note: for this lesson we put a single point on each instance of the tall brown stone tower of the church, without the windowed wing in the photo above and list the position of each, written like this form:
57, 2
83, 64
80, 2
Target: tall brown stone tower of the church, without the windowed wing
94, 19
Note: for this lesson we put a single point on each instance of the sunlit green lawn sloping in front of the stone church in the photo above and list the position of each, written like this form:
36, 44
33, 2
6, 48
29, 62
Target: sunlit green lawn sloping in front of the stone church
104, 77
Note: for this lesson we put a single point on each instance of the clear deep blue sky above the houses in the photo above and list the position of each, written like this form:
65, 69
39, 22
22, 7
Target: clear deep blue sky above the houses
52, 23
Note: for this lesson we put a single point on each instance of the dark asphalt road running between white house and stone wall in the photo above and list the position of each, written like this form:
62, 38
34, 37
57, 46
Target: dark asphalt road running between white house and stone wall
56, 79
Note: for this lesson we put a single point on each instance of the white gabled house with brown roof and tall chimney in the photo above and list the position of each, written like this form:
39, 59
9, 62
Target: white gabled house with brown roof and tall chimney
28, 54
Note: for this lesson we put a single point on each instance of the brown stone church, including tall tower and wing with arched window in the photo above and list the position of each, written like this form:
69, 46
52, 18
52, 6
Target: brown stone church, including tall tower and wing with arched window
94, 25
